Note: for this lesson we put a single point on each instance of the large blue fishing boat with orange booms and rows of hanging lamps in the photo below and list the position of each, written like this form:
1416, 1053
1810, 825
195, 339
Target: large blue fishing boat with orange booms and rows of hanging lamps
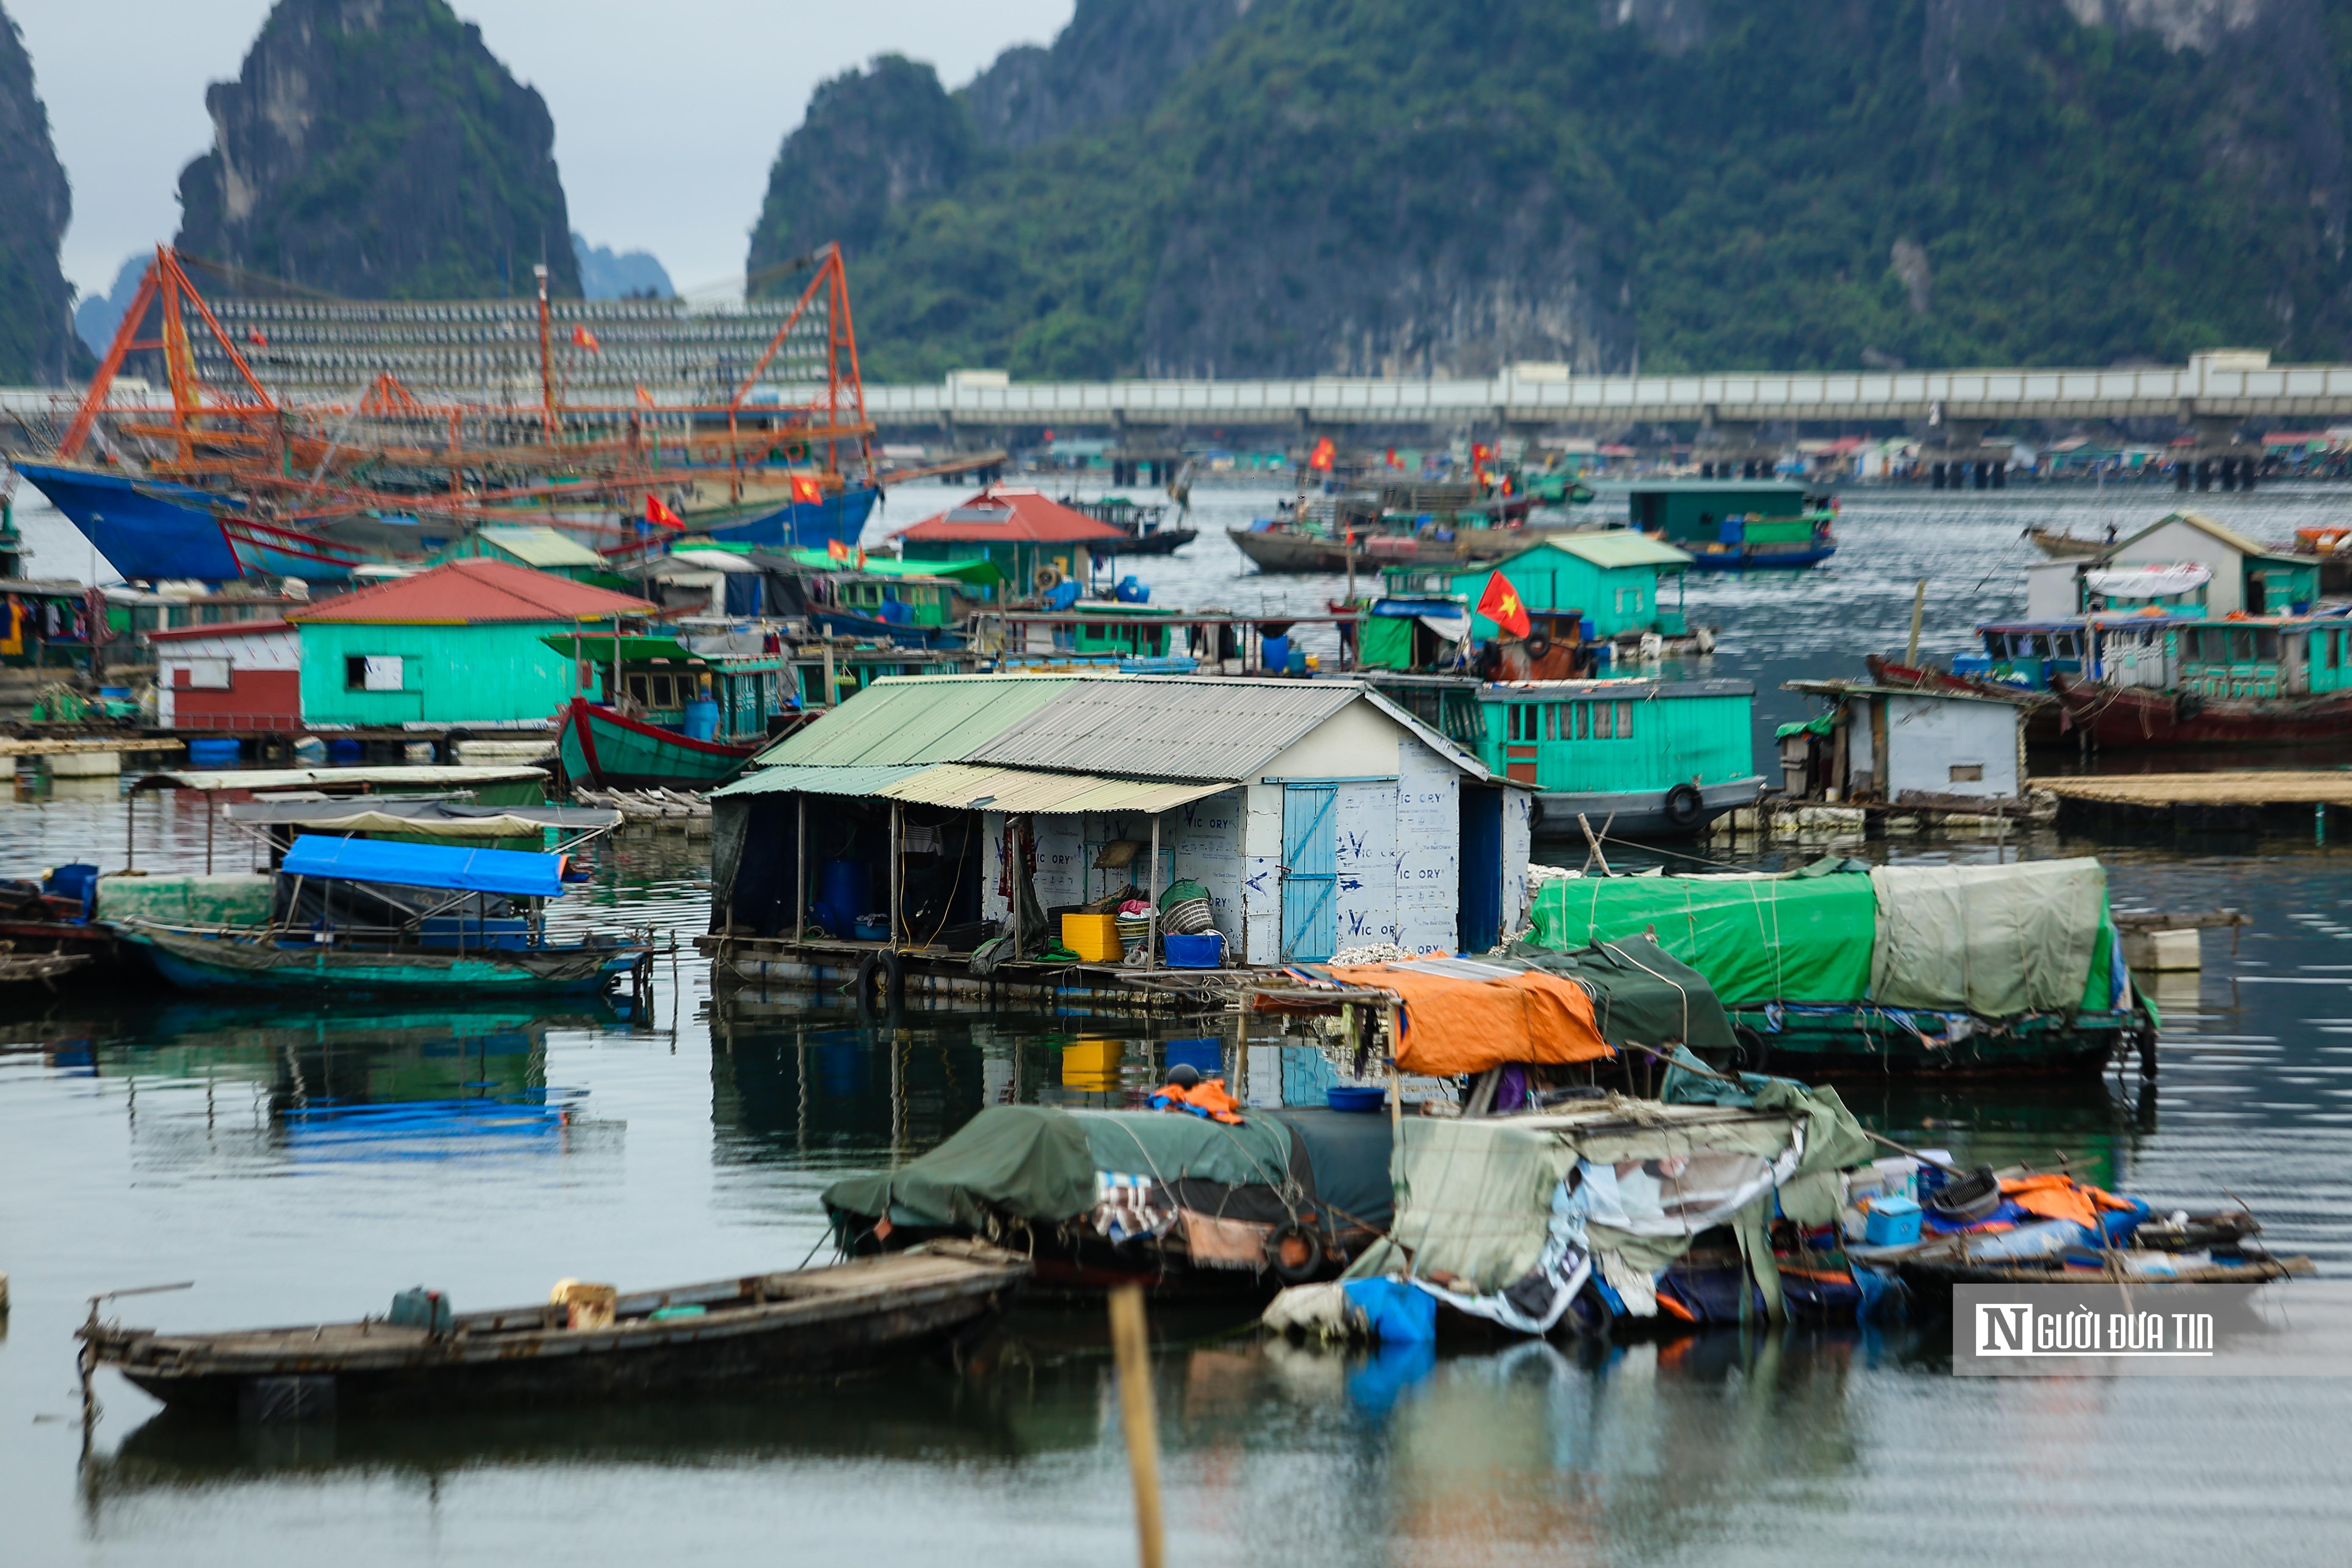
298, 422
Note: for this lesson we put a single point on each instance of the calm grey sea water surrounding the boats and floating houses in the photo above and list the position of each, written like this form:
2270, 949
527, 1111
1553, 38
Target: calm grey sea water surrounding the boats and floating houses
307, 1162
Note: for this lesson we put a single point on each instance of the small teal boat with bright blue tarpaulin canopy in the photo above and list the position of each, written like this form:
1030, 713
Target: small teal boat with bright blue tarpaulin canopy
382, 916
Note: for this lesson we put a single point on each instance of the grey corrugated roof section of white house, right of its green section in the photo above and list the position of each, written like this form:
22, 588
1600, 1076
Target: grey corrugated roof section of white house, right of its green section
1168, 728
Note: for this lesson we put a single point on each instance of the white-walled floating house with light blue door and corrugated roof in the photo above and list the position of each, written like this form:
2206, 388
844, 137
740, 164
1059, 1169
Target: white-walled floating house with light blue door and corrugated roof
1314, 815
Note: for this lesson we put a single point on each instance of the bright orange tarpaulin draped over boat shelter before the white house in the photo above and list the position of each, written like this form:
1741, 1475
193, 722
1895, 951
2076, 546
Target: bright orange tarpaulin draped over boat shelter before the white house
1471, 1026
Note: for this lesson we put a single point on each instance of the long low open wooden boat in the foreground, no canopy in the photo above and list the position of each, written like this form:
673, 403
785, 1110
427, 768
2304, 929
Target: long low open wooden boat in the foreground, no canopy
676, 1341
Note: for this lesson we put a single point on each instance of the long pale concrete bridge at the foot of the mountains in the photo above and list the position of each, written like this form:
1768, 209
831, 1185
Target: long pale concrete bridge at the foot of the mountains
2214, 396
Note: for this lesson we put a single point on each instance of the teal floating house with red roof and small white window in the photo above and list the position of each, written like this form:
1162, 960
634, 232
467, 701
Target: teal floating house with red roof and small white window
455, 645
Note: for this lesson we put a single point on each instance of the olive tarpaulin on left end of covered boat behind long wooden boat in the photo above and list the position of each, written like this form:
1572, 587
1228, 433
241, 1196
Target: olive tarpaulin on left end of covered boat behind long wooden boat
1010, 1160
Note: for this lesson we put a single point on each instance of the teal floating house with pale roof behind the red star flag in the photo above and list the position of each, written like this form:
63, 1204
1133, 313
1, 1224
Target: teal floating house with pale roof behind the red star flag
1615, 579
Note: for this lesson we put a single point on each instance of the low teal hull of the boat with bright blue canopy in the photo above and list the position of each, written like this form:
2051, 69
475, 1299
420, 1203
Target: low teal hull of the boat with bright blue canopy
194, 960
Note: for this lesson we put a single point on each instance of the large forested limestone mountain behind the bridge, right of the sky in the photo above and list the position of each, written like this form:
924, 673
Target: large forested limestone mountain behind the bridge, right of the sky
1452, 185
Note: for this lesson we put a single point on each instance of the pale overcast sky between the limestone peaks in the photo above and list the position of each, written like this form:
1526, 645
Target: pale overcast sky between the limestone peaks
664, 116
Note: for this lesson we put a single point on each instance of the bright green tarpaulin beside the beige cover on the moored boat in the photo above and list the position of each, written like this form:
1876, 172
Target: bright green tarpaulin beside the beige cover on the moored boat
1756, 939
